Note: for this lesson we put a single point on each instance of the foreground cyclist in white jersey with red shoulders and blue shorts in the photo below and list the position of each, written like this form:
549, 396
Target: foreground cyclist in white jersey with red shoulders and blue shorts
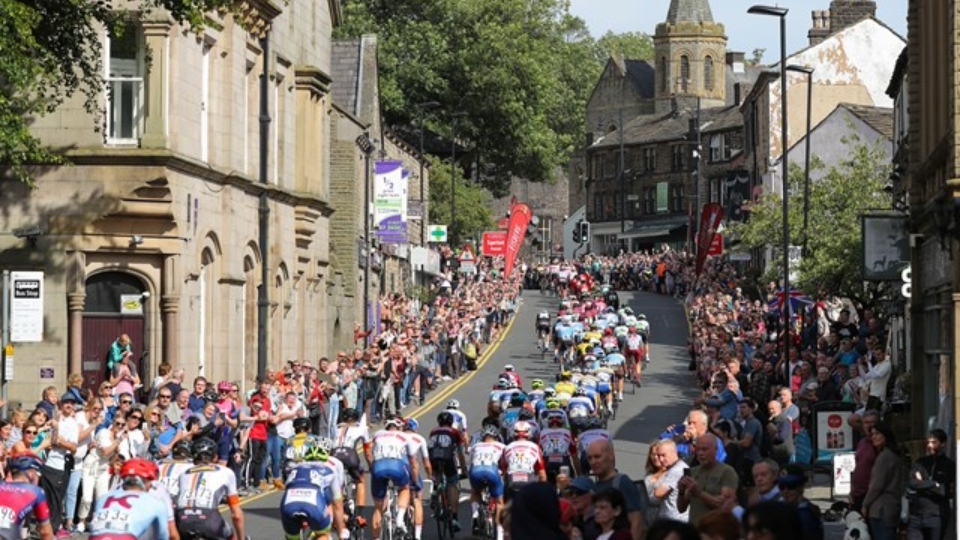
393, 461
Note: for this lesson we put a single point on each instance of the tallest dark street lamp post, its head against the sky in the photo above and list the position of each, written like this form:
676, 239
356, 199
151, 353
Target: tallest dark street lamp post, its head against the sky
775, 11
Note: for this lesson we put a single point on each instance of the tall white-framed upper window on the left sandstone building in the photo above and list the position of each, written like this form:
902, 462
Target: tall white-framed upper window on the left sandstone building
123, 74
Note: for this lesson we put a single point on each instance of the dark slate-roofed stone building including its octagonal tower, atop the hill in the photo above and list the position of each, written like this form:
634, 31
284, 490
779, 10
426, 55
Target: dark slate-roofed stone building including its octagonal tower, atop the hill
646, 118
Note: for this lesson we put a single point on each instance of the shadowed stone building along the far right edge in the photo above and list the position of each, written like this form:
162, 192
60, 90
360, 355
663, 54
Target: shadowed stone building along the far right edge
925, 88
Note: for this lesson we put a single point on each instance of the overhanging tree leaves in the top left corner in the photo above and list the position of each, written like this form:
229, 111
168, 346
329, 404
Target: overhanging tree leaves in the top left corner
49, 51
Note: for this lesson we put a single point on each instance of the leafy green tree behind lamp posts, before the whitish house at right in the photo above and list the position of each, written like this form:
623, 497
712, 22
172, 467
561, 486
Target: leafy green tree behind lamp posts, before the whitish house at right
832, 264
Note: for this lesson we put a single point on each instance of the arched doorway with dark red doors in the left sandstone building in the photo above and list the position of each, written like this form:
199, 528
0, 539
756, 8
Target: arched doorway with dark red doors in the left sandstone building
114, 306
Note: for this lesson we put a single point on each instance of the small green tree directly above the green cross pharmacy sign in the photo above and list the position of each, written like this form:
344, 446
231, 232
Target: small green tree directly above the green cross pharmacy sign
473, 204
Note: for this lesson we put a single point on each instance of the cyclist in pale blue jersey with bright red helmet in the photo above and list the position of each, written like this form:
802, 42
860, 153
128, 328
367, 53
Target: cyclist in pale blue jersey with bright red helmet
130, 512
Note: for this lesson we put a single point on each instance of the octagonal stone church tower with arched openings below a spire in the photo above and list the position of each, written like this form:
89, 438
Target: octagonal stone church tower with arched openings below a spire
690, 57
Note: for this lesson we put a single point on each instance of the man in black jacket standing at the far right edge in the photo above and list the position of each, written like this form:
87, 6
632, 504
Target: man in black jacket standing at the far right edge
930, 489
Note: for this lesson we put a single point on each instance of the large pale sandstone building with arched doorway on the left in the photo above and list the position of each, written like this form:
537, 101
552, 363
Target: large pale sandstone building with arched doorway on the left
153, 230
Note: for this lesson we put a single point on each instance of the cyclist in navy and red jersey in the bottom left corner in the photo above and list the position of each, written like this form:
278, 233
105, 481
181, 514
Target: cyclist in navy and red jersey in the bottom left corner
21, 498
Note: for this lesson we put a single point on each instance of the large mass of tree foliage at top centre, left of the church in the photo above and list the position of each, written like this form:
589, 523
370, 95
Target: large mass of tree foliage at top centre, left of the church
521, 70
